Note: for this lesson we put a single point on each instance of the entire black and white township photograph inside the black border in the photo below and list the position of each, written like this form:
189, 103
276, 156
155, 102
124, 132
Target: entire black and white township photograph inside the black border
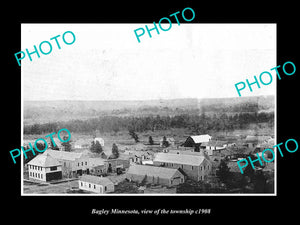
159, 117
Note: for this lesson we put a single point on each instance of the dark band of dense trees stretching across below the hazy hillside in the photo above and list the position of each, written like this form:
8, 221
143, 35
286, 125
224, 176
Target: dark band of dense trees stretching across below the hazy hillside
196, 123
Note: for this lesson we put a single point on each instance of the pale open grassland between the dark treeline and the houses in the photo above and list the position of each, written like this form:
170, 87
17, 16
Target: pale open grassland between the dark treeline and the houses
124, 140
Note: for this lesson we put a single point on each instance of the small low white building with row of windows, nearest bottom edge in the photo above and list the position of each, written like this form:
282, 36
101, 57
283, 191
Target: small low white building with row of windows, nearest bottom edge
99, 185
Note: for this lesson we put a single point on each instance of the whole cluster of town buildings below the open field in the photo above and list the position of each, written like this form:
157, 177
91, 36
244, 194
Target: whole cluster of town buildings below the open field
168, 168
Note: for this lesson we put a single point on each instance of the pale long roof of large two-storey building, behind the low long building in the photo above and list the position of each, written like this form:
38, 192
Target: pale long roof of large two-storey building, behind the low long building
193, 160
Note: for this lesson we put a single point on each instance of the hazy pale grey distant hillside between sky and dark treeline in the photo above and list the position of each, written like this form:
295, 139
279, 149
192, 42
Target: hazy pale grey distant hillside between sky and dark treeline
64, 110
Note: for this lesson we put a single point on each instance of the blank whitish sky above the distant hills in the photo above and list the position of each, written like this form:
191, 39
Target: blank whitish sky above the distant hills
106, 62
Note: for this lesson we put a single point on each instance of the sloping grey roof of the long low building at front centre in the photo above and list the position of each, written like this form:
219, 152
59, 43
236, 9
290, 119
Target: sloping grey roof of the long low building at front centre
150, 171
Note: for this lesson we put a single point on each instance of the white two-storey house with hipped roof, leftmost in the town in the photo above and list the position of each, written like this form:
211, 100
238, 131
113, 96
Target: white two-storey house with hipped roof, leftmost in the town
45, 168
